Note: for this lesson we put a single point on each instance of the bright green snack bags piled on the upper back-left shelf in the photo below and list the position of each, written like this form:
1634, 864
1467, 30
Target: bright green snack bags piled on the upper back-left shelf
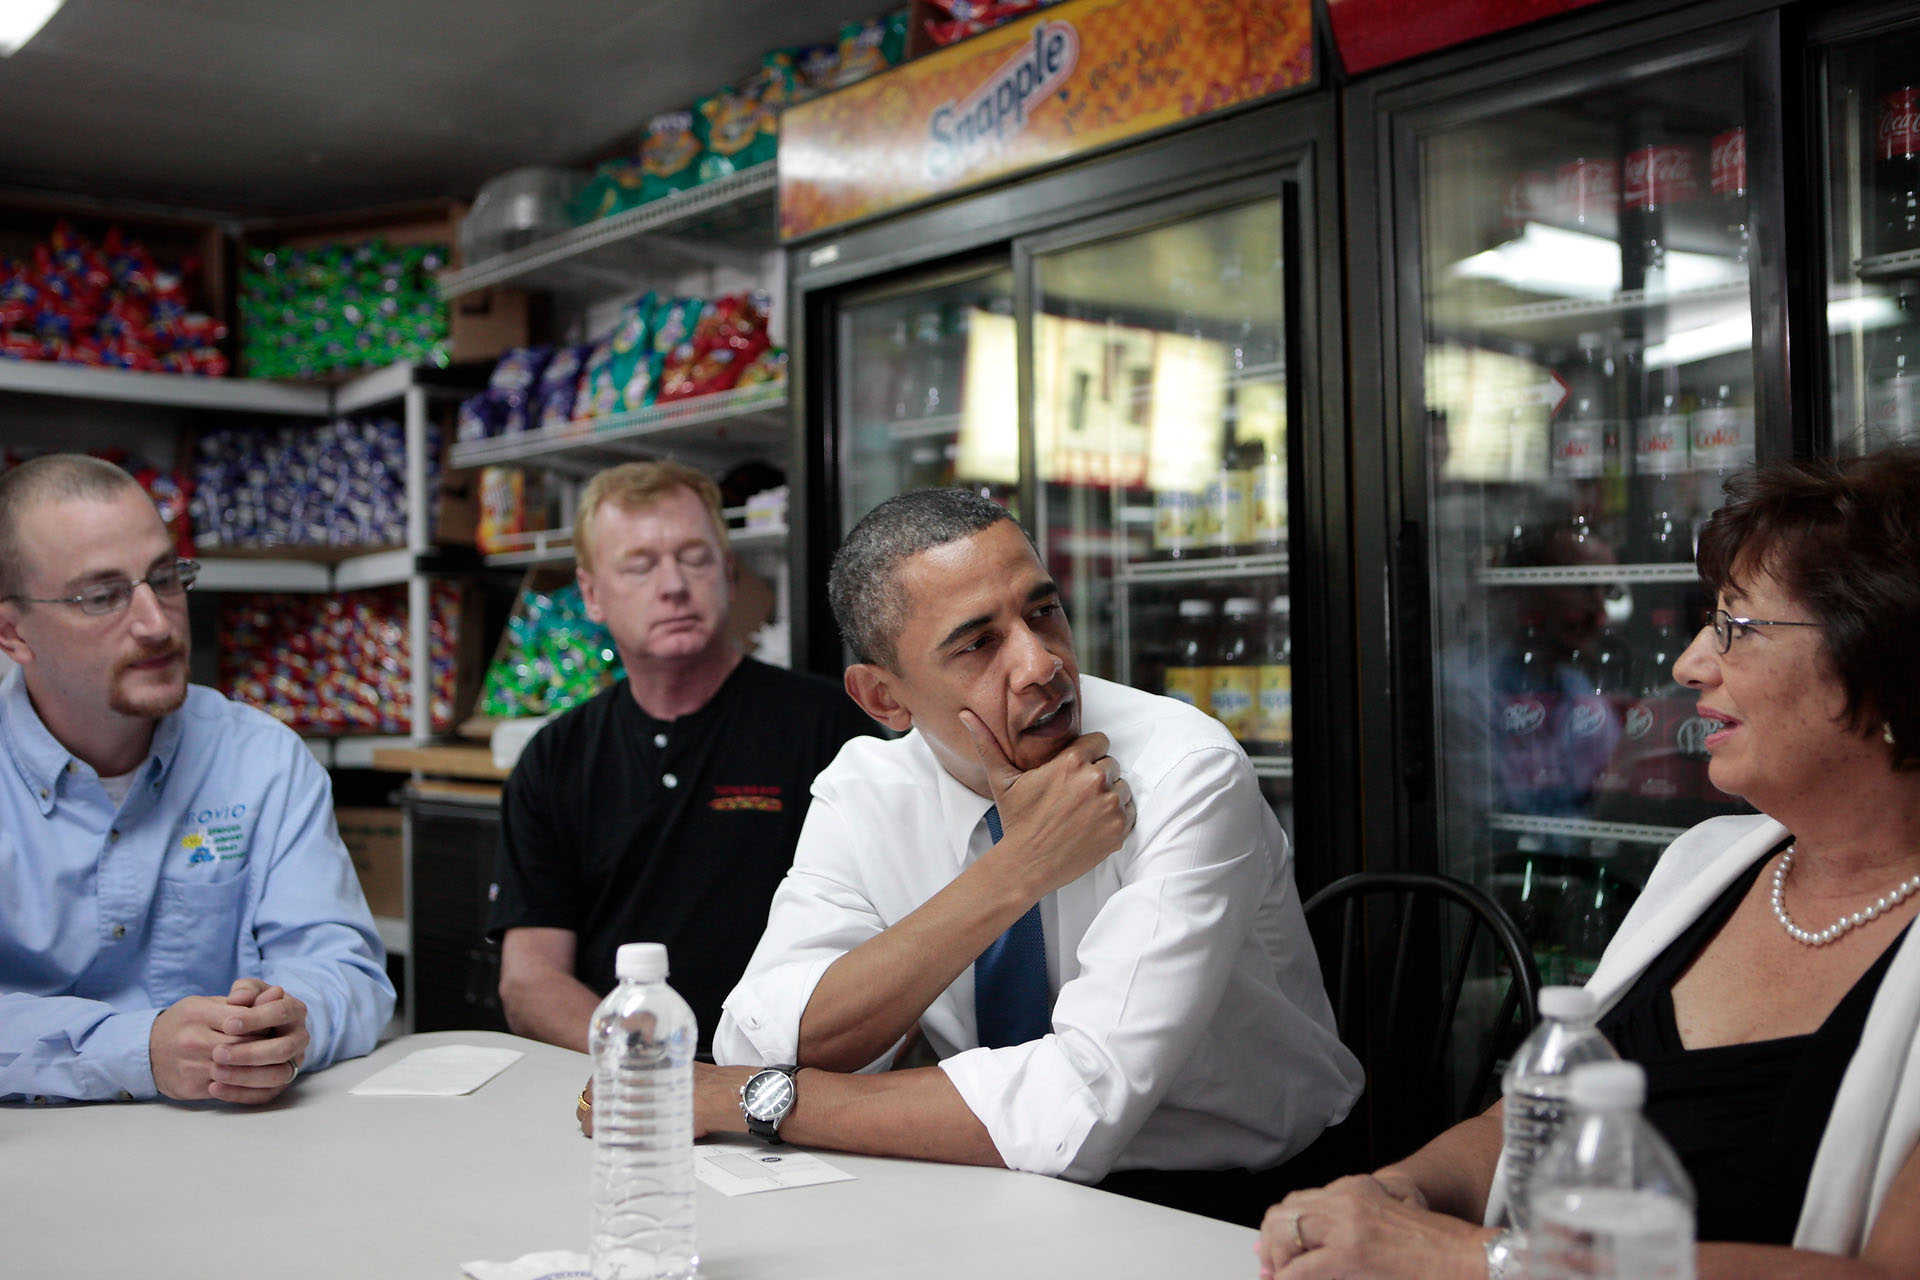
312, 312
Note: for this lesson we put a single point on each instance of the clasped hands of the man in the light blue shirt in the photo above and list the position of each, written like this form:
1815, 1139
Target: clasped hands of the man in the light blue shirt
243, 1047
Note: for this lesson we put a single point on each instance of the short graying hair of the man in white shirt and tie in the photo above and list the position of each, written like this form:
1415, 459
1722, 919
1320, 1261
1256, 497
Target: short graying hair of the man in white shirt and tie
865, 584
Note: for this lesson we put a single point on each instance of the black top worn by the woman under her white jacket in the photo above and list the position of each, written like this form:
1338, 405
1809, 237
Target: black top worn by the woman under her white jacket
1746, 1120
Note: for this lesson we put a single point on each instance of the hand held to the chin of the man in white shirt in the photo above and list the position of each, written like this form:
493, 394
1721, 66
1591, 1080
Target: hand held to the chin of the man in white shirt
1063, 818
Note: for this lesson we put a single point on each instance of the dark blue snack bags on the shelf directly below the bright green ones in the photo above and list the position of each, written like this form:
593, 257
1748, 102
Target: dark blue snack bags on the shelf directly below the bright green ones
343, 485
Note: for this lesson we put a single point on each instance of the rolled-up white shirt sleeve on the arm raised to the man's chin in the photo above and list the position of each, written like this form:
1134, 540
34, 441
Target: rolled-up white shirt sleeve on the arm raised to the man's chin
1147, 980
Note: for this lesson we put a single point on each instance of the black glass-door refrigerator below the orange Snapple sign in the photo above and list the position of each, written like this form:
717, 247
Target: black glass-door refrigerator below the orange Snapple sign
1130, 356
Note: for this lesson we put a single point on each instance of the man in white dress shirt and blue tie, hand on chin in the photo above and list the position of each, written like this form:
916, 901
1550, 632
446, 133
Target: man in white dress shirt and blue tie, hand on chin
1188, 1024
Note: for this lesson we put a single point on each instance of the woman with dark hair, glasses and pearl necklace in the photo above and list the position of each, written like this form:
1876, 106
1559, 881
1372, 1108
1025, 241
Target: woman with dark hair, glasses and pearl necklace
1765, 980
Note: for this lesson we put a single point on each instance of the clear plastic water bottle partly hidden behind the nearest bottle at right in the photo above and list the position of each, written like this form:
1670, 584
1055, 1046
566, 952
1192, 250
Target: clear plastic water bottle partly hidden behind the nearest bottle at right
1535, 1087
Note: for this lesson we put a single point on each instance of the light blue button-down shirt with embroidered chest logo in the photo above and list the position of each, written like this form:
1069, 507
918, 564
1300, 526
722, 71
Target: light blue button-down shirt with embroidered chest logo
222, 863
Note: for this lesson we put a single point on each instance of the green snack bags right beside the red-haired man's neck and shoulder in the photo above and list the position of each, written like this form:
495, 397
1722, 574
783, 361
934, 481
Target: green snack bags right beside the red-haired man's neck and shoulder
552, 655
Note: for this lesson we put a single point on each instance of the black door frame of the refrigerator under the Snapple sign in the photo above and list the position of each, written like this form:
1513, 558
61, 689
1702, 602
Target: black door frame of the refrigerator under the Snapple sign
1289, 143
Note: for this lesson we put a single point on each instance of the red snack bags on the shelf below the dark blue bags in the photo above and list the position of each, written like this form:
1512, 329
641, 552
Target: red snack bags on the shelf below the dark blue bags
335, 665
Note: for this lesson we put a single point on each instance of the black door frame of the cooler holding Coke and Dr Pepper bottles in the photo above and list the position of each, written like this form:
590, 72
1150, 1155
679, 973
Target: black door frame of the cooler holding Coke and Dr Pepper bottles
1385, 122
